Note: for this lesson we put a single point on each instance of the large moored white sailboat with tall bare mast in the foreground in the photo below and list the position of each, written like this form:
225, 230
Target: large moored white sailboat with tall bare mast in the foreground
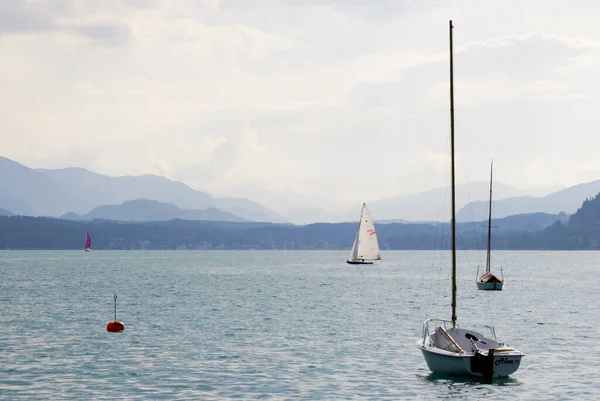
448, 349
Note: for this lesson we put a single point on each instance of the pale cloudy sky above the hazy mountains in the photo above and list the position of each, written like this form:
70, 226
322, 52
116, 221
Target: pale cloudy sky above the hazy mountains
328, 102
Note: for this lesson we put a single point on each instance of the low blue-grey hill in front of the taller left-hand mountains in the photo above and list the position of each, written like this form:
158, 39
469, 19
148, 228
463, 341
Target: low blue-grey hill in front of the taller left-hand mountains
151, 210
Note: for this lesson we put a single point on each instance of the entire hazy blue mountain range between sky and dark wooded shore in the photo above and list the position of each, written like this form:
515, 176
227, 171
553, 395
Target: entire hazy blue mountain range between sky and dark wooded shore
76, 193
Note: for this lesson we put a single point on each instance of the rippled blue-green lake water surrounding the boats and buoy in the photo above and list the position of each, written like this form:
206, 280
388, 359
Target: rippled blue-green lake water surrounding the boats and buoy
296, 325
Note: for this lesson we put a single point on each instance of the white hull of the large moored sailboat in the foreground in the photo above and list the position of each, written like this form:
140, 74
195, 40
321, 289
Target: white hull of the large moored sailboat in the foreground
453, 364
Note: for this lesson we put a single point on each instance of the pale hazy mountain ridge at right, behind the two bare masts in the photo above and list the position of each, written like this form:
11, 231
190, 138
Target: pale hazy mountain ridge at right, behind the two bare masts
566, 200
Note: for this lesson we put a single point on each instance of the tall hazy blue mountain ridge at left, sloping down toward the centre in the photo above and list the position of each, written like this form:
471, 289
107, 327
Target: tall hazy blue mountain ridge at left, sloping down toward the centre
47, 192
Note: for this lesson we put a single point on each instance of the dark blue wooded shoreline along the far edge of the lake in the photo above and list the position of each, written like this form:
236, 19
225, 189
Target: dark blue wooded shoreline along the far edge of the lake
515, 232
